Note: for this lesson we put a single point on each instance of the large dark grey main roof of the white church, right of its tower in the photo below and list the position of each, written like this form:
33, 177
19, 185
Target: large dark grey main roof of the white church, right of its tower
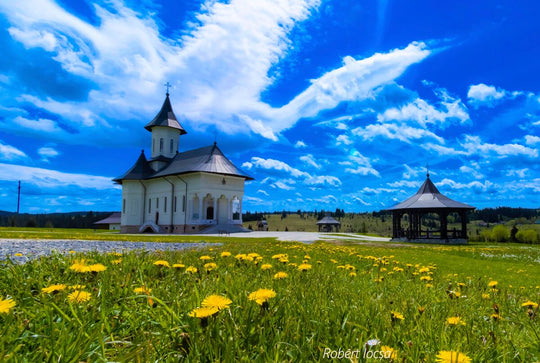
207, 159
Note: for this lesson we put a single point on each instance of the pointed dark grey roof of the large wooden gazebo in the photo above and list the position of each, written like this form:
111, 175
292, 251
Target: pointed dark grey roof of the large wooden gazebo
429, 197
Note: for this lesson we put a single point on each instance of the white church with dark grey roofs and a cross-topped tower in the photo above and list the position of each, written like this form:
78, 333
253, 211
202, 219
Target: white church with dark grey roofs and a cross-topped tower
188, 192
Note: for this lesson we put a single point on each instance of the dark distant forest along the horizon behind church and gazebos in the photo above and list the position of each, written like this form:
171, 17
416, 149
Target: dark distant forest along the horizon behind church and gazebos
87, 219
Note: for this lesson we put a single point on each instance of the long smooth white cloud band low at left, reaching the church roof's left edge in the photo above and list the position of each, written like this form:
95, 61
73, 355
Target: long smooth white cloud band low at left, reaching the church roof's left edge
45, 178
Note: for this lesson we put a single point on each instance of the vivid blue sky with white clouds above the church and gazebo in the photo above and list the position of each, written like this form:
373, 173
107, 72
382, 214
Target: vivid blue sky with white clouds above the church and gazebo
327, 104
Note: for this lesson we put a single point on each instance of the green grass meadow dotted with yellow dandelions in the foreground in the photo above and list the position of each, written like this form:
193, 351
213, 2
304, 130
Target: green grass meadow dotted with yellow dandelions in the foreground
415, 302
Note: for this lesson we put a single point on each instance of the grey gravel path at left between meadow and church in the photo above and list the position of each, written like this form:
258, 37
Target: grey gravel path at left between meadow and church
21, 250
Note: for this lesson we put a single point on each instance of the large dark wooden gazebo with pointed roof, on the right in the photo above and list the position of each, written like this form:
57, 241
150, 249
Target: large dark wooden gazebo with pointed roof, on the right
428, 199
